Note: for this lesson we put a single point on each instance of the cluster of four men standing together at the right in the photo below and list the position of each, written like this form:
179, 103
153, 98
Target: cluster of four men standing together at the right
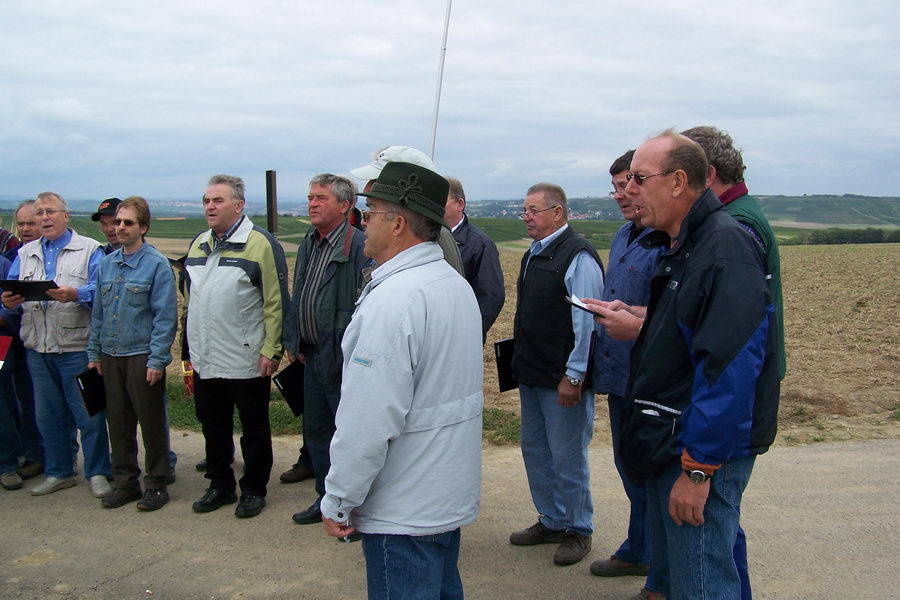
689, 350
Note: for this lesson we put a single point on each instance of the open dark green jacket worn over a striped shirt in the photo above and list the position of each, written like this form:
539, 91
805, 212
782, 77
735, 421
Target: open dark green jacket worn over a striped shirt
335, 300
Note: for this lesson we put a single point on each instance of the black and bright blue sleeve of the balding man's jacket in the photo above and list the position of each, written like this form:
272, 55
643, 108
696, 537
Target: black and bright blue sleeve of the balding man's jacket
725, 324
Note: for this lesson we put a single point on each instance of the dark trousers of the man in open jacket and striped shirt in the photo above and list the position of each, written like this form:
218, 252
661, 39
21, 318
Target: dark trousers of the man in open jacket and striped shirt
320, 402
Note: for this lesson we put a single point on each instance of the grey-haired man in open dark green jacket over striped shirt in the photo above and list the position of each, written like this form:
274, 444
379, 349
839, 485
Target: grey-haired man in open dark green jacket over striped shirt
327, 280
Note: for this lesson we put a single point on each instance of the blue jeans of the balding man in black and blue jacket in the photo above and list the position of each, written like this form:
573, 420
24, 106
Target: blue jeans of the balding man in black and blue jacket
698, 562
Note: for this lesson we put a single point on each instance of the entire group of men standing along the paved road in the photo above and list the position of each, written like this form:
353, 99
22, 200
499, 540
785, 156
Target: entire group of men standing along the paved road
682, 332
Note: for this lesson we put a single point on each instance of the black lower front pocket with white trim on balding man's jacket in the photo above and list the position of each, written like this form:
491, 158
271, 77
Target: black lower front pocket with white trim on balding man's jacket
649, 438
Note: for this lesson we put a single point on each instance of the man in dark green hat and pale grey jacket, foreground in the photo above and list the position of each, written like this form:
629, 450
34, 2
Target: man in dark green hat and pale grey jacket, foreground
406, 456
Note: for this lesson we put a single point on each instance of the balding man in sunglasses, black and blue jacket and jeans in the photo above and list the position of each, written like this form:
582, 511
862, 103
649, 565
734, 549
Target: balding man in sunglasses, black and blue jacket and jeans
702, 399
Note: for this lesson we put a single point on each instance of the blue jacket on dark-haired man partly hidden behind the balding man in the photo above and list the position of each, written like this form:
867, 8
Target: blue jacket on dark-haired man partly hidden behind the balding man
628, 275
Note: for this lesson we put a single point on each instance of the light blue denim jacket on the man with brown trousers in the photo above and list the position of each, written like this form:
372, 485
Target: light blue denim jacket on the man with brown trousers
135, 309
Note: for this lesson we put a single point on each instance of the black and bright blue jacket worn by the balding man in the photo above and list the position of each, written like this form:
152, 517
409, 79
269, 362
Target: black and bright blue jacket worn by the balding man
703, 372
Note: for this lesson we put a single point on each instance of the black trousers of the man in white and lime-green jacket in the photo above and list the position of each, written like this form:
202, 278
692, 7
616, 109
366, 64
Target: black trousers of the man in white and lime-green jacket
215, 401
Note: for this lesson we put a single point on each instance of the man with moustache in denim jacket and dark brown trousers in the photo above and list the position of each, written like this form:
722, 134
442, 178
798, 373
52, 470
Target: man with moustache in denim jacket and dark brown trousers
132, 329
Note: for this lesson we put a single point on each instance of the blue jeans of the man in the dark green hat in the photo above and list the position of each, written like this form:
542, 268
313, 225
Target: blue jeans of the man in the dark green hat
407, 567
